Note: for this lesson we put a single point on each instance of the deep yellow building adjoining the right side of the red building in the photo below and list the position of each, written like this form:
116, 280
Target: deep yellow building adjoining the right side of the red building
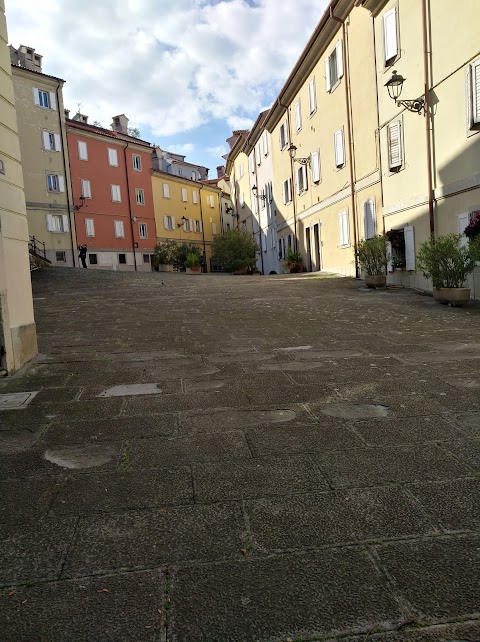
186, 211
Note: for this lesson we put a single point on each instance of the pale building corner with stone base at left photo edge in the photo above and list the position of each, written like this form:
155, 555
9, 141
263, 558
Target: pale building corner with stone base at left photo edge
18, 339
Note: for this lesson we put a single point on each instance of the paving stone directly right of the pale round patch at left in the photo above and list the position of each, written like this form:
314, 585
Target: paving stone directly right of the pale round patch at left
154, 453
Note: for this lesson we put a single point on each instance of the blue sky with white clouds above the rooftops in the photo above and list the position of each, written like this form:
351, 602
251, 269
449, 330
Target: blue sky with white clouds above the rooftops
185, 72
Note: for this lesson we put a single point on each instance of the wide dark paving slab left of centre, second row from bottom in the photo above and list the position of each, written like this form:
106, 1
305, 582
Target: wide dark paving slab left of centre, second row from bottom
140, 539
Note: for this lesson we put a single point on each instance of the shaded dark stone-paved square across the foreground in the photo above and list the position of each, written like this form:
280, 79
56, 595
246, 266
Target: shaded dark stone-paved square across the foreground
303, 463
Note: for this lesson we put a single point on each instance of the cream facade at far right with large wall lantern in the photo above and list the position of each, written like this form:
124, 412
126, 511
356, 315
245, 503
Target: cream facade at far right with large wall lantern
430, 162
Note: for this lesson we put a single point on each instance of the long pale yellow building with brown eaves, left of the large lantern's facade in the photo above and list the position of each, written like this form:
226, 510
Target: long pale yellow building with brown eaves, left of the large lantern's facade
325, 160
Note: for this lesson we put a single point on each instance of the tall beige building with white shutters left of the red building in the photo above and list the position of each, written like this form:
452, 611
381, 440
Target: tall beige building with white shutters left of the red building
42, 131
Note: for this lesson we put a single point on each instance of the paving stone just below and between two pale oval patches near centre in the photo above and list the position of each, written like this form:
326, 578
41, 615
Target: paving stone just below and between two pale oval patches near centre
315, 438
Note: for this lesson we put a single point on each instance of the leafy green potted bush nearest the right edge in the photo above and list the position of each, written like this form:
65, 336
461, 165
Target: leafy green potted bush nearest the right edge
448, 262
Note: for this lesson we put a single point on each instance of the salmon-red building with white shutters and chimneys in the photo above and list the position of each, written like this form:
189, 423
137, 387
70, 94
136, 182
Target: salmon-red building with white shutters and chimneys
112, 194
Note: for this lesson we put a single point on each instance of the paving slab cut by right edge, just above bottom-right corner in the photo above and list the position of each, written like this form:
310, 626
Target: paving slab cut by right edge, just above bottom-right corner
440, 578
